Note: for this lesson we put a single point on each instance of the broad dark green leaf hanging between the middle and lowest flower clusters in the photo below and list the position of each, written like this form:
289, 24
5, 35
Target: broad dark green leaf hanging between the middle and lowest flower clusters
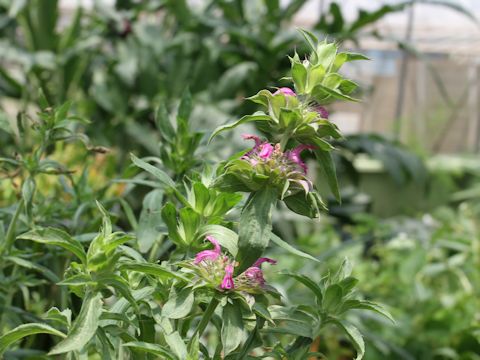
255, 227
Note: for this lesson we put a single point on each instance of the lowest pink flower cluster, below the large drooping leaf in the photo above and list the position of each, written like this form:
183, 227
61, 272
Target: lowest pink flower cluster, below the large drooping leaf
218, 269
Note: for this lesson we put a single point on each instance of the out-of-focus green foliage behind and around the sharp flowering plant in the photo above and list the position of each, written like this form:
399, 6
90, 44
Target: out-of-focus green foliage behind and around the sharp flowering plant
409, 223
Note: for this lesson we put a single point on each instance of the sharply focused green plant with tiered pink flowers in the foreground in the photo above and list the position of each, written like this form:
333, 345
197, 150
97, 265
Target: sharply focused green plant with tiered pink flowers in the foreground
201, 291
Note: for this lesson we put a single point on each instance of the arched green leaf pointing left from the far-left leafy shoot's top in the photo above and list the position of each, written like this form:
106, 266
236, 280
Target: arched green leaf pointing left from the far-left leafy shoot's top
57, 237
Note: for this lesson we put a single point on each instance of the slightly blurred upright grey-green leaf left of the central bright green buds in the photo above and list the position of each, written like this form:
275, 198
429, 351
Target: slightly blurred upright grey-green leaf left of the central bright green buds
150, 218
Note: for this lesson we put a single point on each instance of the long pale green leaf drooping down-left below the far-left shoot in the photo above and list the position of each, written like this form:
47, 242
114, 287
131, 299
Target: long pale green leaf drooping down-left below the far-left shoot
84, 326
